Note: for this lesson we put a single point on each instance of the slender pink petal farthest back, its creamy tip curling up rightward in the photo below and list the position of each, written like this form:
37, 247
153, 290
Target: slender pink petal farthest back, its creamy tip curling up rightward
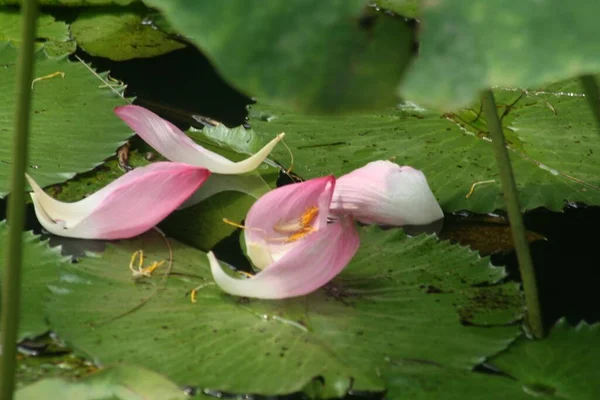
175, 145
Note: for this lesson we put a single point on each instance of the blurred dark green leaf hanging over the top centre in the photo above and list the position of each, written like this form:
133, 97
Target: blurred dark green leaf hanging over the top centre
314, 55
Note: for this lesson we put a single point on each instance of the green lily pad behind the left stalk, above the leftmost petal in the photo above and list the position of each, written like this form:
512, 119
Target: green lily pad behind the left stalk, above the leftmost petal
73, 128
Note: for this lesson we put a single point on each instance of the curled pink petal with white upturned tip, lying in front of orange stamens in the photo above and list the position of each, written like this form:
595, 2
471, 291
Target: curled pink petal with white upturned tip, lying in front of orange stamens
305, 268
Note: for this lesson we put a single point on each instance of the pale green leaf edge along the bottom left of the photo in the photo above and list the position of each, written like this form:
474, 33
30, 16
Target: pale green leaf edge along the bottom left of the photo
117, 383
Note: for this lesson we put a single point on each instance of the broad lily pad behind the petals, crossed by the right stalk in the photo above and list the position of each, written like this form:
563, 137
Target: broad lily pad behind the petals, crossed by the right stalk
552, 135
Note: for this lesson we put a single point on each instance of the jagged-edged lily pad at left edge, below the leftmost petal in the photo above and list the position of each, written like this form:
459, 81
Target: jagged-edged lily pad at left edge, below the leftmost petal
40, 267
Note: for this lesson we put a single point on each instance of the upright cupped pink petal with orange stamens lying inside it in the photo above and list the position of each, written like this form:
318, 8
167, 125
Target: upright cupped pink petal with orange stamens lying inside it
278, 214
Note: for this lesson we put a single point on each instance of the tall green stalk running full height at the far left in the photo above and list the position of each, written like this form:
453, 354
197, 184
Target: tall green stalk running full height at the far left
11, 279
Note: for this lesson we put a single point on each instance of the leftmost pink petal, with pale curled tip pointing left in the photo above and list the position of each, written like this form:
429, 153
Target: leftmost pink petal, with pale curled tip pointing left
126, 207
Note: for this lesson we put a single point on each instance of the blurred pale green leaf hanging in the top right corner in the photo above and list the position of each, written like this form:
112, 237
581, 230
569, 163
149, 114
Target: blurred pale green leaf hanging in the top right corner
468, 46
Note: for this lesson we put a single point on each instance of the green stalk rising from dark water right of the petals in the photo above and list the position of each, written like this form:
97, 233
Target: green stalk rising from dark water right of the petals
517, 227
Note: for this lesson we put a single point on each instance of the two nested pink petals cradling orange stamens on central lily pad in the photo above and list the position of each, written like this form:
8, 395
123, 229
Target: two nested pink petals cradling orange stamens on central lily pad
289, 238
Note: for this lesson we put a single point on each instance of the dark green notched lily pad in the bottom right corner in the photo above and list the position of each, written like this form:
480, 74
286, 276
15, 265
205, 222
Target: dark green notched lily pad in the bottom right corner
562, 366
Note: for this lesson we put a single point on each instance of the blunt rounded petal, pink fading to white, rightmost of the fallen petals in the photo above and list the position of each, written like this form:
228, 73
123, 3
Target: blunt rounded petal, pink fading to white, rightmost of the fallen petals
384, 193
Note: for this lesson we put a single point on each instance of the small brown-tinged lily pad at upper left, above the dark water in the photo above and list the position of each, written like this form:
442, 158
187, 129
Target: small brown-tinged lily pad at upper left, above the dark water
120, 34
